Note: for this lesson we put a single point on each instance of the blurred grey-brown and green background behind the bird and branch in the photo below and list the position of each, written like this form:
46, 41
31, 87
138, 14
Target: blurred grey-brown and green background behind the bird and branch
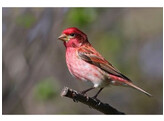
33, 60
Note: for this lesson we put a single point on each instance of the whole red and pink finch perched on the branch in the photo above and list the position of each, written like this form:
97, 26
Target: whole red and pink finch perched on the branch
86, 64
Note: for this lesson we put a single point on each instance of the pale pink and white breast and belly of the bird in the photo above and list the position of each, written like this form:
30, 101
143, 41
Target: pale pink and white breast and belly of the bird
85, 71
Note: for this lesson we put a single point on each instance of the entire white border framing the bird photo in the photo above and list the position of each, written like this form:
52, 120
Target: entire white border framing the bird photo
75, 3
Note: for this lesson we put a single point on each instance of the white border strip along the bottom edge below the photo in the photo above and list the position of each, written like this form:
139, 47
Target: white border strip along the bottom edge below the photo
82, 118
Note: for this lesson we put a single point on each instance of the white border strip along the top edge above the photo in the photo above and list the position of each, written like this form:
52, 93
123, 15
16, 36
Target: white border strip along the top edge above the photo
82, 3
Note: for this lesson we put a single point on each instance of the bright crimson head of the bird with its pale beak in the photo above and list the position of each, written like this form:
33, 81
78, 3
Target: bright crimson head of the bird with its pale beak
73, 37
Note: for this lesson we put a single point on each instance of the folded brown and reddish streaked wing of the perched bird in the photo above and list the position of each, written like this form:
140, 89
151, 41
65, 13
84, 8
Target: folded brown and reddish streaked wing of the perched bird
90, 55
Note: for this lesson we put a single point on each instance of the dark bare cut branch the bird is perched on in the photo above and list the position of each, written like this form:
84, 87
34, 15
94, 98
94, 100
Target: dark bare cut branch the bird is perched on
91, 102
